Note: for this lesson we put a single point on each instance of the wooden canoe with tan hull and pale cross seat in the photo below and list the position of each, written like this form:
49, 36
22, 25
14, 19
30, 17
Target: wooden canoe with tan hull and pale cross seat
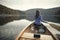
28, 34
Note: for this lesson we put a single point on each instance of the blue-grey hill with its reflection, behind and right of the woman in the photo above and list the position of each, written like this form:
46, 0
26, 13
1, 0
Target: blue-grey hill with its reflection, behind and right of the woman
52, 14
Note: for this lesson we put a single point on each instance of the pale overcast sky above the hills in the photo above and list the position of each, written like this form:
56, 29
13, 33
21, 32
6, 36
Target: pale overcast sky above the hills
28, 4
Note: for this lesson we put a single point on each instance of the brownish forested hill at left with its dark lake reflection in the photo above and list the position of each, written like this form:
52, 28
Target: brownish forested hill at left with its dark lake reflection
8, 14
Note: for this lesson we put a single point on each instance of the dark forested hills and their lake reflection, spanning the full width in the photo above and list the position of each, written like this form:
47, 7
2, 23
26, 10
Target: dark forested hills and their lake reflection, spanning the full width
8, 14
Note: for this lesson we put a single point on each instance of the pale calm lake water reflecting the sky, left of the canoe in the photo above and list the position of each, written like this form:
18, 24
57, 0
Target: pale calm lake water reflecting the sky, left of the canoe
10, 30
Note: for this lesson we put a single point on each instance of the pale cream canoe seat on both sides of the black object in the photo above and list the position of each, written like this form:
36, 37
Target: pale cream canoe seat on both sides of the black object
31, 36
